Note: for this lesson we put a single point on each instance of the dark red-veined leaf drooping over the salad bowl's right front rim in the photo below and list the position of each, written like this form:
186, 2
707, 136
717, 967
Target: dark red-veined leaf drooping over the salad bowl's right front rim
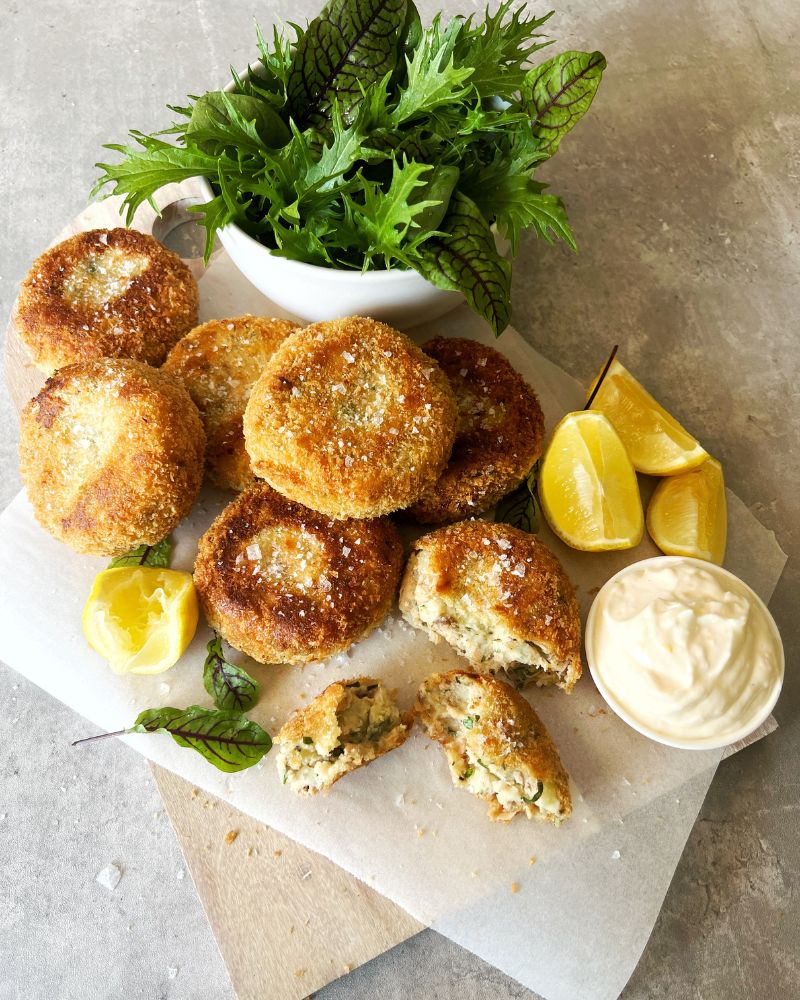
466, 259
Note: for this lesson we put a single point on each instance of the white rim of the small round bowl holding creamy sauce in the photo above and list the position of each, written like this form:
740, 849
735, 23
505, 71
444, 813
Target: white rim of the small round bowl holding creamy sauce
706, 743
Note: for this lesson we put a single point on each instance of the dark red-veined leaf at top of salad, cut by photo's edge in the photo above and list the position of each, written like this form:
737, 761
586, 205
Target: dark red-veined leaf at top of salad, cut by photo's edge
349, 46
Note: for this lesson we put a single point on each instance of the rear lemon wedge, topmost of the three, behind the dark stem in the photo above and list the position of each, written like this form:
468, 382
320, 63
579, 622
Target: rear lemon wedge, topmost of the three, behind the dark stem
656, 442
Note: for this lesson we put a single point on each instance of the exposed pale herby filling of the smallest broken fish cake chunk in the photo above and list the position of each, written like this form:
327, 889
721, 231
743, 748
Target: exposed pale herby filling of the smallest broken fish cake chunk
367, 720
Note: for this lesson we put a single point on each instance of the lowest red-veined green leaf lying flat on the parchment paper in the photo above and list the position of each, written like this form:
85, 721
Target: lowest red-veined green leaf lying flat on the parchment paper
226, 739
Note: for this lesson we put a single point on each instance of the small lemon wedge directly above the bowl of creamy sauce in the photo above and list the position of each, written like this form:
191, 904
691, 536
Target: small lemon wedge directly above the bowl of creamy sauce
688, 515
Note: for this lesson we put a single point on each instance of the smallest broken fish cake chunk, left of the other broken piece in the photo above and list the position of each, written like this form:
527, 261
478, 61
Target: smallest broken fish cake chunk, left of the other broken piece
350, 724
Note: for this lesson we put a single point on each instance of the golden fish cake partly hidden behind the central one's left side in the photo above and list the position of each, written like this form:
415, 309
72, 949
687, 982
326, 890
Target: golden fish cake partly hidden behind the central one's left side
219, 362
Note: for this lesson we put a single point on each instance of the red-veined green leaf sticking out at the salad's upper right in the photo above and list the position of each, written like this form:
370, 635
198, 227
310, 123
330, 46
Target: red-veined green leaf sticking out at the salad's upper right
558, 93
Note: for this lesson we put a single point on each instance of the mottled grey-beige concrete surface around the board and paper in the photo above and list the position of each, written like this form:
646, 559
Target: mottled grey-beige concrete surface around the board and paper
683, 194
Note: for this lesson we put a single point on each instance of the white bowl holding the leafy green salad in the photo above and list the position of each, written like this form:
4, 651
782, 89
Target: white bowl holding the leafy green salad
401, 298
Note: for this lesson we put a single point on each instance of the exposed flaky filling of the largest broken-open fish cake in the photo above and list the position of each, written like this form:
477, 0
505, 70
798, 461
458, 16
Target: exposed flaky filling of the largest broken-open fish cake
476, 626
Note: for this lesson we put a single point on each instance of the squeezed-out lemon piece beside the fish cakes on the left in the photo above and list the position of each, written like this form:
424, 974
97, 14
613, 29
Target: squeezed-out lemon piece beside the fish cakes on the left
141, 618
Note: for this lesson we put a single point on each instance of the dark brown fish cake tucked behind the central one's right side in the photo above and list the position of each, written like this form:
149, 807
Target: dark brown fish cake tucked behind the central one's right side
499, 436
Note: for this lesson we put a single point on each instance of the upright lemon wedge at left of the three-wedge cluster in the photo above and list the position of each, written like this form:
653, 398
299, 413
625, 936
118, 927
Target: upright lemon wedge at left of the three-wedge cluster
588, 487
